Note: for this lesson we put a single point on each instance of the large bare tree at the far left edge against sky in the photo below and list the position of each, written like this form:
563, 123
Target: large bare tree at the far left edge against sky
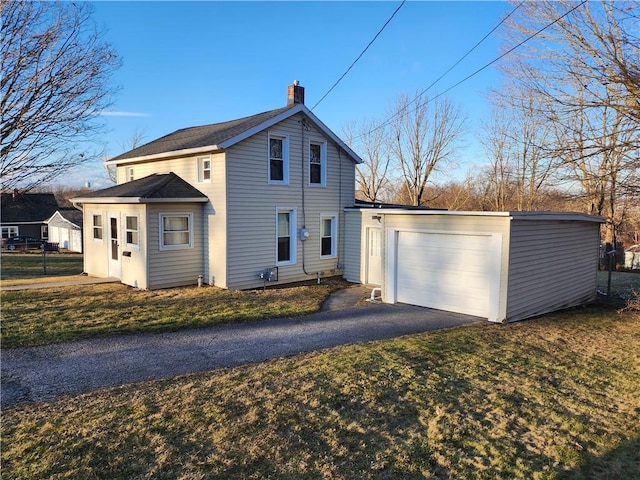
55, 74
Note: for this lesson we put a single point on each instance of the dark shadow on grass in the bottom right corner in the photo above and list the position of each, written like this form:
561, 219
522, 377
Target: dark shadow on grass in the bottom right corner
621, 463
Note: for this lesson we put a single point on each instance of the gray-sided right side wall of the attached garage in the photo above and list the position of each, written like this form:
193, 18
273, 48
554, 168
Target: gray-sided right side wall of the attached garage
553, 265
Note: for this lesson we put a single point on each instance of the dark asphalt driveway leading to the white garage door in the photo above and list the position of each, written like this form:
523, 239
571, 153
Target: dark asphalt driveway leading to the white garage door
53, 371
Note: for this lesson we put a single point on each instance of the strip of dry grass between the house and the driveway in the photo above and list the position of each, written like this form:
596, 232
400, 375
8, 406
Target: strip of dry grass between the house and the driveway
37, 317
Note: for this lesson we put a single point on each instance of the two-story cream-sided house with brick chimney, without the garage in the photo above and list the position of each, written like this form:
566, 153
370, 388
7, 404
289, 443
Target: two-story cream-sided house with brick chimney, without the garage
237, 203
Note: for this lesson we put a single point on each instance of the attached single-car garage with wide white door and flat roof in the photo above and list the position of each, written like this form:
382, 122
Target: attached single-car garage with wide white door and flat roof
503, 266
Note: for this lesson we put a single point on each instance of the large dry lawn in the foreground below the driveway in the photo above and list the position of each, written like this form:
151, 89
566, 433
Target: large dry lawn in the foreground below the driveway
552, 398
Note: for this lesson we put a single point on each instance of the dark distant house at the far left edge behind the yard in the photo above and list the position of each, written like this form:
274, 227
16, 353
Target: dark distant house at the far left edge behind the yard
25, 214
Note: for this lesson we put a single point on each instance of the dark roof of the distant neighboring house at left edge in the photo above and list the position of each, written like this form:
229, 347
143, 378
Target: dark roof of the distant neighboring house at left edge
27, 207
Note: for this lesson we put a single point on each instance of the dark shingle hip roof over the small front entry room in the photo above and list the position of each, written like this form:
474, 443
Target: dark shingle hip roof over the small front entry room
154, 187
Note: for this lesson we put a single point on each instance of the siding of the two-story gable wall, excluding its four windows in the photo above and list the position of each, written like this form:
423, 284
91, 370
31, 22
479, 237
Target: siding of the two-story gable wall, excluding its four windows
252, 202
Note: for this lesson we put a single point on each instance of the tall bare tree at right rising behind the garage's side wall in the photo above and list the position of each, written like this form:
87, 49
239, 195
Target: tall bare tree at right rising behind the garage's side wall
581, 63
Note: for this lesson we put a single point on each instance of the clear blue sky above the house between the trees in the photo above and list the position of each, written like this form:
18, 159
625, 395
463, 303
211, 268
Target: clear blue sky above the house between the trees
194, 63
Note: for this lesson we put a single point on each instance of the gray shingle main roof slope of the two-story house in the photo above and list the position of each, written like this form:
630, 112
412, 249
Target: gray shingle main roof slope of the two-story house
202, 136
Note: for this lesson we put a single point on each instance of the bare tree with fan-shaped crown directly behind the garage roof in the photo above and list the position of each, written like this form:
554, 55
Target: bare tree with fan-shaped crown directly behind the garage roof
425, 134
